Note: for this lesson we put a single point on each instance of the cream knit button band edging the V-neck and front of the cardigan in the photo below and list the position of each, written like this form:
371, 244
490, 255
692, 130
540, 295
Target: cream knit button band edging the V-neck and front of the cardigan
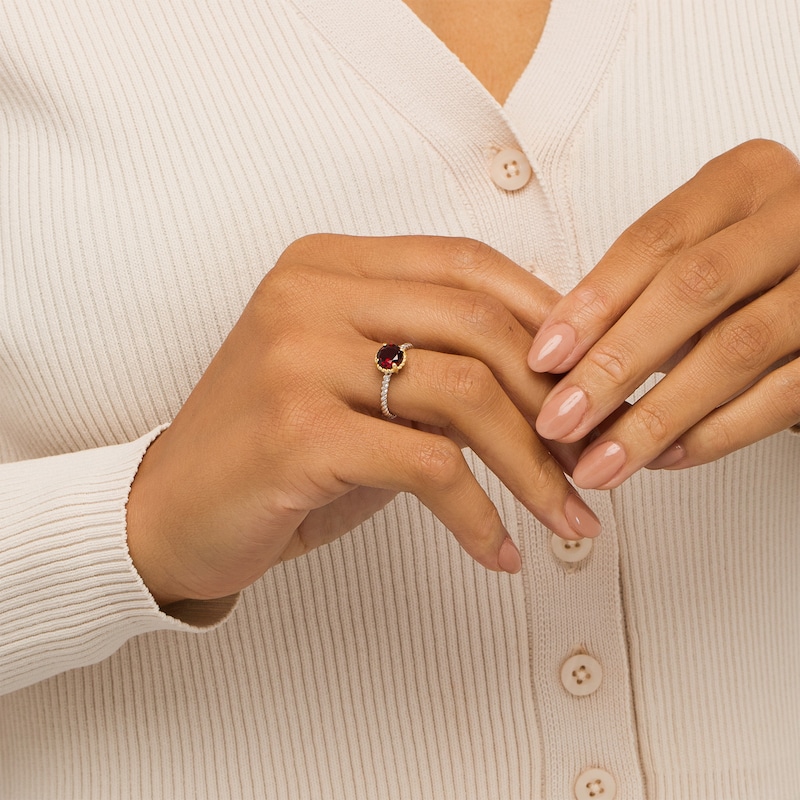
523, 223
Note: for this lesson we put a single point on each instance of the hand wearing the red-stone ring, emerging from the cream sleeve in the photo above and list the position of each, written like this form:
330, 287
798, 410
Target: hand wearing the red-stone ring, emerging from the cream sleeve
281, 446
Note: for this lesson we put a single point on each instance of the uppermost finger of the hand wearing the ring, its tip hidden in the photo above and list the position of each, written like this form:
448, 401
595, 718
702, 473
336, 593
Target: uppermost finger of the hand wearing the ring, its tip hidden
447, 261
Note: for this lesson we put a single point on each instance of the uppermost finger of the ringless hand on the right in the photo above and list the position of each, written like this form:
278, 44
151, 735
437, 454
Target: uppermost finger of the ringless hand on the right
727, 189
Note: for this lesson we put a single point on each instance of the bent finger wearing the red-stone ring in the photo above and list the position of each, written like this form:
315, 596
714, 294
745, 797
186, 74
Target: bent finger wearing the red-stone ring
461, 394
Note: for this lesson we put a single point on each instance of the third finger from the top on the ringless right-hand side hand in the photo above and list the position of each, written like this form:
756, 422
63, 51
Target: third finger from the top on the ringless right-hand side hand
731, 357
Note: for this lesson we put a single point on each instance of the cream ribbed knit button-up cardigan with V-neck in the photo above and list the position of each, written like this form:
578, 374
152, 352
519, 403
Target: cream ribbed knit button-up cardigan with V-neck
155, 160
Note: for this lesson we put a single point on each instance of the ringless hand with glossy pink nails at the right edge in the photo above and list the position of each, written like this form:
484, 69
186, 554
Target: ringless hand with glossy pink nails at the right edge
706, 285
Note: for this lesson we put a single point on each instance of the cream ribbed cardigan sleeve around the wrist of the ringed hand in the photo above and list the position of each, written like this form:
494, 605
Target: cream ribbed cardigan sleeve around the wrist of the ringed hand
69, 593
